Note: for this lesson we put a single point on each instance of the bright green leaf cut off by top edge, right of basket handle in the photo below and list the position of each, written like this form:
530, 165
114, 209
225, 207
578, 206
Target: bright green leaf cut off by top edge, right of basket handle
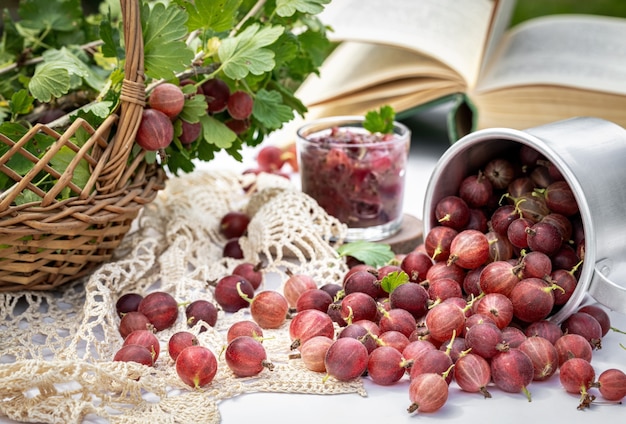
217, 15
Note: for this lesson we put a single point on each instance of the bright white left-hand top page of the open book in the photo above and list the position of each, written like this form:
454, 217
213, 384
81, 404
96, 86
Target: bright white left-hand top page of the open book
453, 31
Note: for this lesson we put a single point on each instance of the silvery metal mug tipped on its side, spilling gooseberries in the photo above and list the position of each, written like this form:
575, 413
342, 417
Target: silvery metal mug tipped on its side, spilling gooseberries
590, 154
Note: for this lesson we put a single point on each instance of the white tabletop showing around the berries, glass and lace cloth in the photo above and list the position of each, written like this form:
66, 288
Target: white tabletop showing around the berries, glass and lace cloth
550, 402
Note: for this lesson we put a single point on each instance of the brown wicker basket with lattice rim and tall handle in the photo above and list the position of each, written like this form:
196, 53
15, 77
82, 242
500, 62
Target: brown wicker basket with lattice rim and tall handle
47, 243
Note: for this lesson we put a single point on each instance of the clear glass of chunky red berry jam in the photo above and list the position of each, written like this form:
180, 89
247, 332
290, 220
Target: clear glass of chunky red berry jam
356, 176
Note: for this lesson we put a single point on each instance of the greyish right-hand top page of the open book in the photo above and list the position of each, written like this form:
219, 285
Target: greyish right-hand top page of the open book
582, 51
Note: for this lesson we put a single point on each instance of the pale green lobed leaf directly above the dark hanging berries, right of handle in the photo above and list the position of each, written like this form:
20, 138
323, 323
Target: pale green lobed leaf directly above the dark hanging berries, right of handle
247, 52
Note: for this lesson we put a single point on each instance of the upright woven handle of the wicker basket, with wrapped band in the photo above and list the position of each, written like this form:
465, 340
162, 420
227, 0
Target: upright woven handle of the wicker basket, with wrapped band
132, 99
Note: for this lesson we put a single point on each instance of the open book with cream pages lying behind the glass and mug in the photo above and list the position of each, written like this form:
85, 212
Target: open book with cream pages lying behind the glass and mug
412, 53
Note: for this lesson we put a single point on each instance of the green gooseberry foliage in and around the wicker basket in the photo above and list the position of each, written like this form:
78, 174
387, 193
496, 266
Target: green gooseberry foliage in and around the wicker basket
59, 55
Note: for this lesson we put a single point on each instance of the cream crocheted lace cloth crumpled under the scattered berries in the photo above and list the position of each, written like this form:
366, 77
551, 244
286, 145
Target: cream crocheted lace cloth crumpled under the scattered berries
57, 347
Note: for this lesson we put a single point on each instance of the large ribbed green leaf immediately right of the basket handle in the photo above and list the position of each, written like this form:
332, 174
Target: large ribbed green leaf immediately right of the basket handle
165, 52
